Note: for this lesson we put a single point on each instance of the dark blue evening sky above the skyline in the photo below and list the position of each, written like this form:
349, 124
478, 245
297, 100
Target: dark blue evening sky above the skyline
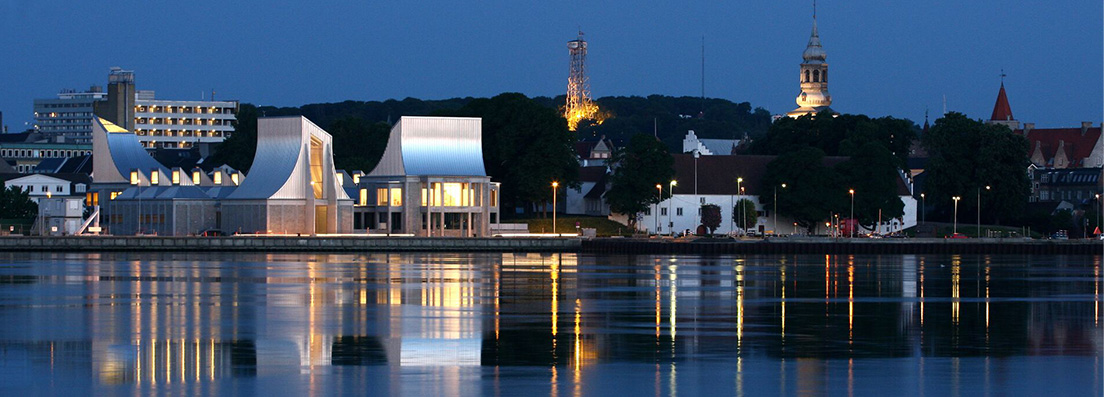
895, 58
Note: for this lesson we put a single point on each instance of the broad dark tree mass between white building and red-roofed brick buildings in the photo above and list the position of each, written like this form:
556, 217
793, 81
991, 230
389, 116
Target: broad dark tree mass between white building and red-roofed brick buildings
967, 156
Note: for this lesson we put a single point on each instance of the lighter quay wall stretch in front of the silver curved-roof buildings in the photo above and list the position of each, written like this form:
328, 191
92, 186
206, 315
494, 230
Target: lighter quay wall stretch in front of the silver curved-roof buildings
266, 244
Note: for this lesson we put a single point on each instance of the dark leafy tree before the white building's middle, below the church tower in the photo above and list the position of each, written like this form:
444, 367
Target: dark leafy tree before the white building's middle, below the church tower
813, 190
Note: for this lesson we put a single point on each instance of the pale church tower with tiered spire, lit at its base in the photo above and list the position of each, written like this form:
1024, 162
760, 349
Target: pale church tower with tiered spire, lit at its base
814, 96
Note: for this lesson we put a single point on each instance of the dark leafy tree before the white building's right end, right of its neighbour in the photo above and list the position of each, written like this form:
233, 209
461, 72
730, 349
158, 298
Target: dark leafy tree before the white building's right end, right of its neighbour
873, 174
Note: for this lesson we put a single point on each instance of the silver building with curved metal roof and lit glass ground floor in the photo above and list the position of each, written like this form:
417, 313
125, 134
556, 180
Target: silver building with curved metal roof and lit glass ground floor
430, 183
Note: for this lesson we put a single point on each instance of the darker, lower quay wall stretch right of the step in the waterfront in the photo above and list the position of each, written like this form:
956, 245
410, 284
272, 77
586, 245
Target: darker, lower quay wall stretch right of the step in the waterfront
929, 246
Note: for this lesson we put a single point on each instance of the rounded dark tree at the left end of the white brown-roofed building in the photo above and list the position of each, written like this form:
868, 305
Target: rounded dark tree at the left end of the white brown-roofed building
639, 168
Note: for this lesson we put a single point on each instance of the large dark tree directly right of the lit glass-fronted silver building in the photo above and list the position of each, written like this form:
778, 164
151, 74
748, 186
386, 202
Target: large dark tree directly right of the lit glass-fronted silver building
526, 147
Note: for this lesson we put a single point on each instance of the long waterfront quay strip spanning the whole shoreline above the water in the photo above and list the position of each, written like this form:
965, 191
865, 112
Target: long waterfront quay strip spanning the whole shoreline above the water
360, 244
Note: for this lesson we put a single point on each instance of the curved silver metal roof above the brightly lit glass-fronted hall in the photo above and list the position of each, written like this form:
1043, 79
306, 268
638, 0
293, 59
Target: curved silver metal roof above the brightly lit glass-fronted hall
434, 146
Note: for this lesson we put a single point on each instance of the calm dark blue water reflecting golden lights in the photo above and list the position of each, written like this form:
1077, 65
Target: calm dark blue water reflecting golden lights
550, 325
